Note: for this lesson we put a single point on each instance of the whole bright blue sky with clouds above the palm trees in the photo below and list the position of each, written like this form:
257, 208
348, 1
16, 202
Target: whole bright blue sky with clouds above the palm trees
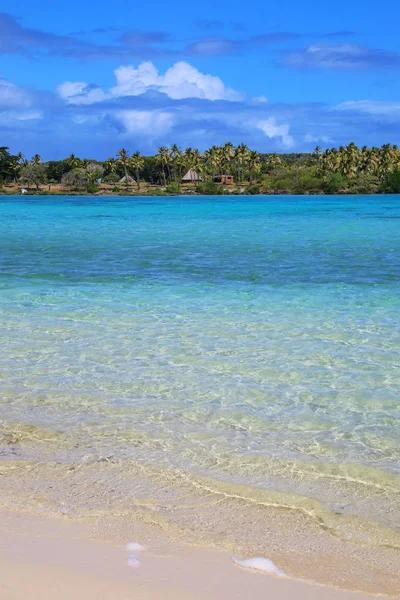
90, 77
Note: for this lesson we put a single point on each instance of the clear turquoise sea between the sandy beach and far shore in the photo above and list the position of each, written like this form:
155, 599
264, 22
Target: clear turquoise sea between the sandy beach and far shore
239, 342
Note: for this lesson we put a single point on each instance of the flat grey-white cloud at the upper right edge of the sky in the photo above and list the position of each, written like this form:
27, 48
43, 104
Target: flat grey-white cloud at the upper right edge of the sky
342, 56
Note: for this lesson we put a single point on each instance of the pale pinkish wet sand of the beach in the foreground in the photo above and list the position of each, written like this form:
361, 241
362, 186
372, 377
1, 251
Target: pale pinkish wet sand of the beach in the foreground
43, 558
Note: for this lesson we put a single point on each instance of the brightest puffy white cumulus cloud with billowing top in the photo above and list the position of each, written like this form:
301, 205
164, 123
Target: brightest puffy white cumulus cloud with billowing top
180, 81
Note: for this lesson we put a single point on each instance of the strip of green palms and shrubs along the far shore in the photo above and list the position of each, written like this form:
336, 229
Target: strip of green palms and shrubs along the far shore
347, 170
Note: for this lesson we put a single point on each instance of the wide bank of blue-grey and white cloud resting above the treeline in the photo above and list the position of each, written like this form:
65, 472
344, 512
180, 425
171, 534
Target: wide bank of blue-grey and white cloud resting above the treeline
147, 107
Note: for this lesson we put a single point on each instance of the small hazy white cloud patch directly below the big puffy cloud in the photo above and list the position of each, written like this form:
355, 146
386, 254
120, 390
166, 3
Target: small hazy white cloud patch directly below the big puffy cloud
151, 123
